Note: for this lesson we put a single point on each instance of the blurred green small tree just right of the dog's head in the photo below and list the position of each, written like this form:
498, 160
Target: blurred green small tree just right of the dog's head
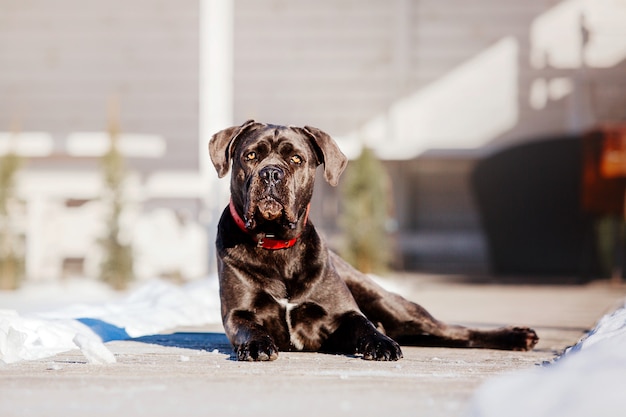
365, 194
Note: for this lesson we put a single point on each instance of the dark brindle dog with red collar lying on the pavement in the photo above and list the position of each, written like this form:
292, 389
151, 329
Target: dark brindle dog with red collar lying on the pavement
281, 288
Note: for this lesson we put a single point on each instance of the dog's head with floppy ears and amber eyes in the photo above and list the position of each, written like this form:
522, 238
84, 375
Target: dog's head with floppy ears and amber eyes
274, 170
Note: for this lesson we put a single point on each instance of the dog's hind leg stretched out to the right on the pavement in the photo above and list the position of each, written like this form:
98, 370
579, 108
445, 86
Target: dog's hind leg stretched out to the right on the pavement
410, 324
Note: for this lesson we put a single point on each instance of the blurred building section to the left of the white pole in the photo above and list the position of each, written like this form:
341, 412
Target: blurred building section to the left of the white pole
70, 71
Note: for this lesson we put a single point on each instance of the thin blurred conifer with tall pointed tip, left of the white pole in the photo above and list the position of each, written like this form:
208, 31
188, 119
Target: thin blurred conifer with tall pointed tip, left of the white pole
117, 265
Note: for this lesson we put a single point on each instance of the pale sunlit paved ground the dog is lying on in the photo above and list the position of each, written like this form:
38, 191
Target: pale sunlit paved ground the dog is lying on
190, 372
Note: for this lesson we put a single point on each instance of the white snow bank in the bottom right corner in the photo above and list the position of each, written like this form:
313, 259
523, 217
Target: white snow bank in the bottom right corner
589, 379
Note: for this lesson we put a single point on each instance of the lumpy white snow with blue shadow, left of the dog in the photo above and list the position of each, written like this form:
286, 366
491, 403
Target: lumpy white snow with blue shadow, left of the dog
152, 308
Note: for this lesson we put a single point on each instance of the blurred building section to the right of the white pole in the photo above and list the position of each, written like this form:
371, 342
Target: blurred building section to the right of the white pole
477, 108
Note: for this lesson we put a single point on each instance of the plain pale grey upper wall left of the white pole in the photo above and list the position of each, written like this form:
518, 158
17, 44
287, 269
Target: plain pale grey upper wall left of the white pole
62, 60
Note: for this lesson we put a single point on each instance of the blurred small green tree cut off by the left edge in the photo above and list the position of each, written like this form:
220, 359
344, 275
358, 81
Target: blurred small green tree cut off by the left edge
11, 253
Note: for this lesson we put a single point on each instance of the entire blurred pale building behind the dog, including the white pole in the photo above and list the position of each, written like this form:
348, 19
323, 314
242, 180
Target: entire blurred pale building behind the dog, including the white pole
476, 107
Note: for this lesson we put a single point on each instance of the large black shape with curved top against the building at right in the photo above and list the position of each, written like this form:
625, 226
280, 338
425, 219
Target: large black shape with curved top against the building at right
529, 197
